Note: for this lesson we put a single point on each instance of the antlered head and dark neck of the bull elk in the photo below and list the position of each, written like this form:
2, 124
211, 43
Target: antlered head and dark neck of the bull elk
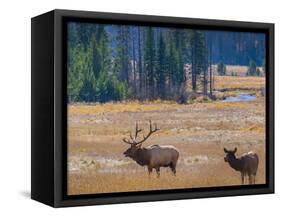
136, 144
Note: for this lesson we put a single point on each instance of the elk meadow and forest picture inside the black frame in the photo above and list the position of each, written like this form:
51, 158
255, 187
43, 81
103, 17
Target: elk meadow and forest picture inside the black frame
156, 108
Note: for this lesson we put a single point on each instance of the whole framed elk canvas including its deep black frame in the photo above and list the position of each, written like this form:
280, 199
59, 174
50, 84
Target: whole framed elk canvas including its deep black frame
134, 108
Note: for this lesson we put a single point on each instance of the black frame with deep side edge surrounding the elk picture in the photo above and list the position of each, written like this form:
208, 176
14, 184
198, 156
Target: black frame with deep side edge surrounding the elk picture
49, 108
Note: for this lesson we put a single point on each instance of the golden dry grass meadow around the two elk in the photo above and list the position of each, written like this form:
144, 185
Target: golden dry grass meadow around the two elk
199, 131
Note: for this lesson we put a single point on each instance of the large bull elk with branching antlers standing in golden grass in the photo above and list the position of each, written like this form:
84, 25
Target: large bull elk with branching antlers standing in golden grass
154, 156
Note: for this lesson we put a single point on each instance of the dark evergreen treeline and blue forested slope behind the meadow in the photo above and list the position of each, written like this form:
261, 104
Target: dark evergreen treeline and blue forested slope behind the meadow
115, 62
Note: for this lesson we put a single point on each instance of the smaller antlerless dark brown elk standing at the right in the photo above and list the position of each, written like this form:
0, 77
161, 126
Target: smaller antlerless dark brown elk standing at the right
247, 164
